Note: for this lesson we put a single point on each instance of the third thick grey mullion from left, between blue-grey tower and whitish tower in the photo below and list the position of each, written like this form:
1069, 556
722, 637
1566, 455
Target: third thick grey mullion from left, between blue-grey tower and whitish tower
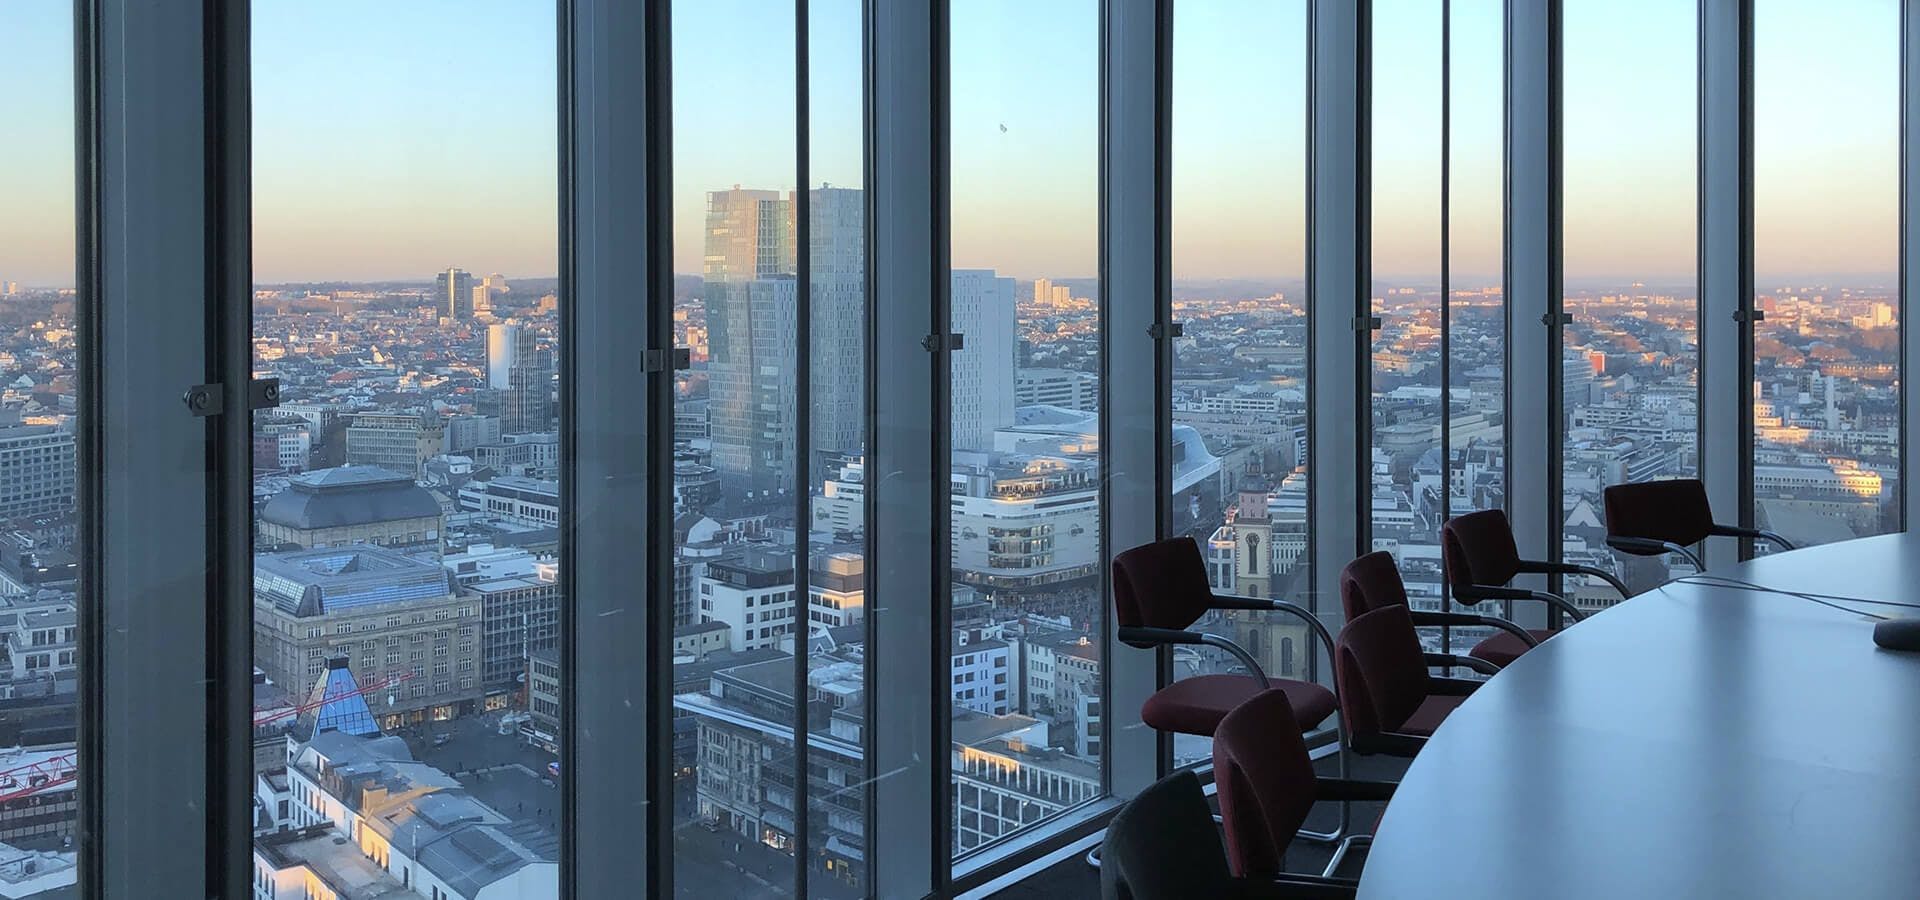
909, 759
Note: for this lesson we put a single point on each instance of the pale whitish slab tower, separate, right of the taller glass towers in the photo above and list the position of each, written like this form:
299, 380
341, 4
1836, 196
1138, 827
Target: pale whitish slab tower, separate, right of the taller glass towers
984, 369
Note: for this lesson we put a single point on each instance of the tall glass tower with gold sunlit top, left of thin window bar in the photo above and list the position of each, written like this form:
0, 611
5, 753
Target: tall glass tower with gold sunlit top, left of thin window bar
750, 331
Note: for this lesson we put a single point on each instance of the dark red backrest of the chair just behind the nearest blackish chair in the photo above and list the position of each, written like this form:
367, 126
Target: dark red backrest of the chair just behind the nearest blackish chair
1266, 782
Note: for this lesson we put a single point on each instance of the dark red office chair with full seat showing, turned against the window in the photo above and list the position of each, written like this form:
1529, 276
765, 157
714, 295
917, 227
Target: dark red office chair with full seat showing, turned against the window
1161, 590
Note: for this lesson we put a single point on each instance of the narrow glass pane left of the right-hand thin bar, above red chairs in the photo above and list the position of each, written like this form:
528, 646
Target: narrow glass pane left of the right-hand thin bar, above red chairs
1406, 456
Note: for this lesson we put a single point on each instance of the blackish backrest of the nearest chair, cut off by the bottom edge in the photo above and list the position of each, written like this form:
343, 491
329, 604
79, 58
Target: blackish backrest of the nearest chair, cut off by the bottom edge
1164, 845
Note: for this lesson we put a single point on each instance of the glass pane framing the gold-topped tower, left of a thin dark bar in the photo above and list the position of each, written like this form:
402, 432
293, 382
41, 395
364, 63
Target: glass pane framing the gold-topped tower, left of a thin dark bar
736, 304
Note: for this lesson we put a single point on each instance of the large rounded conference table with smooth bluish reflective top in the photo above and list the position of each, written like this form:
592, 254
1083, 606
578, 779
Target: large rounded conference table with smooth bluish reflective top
1694, 742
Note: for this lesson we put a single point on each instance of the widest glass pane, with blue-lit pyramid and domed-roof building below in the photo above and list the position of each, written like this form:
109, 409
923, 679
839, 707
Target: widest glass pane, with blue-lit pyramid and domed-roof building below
406, 584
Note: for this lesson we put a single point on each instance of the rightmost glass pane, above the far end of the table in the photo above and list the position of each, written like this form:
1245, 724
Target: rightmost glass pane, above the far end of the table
1827, 369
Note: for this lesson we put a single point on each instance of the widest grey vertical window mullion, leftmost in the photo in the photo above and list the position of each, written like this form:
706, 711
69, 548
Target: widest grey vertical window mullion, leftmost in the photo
147, 283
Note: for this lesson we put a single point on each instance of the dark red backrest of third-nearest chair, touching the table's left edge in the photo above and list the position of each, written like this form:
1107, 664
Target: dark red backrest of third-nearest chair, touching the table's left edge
1381, 671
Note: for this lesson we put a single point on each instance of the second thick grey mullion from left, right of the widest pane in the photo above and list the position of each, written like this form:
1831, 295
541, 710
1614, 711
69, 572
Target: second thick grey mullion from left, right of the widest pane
617, 496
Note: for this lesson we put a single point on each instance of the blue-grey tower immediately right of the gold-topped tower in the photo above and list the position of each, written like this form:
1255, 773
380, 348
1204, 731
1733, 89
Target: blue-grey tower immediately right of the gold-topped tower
838, 273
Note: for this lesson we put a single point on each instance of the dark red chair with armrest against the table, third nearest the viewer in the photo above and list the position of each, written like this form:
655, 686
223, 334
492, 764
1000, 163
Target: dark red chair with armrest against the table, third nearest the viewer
1387, 698
